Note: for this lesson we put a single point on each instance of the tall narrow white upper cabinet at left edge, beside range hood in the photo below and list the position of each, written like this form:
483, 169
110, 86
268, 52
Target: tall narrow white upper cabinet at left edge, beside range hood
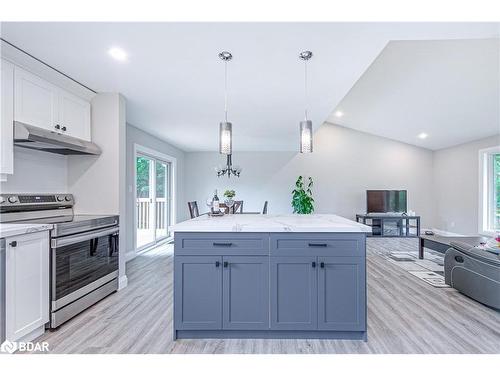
7, 120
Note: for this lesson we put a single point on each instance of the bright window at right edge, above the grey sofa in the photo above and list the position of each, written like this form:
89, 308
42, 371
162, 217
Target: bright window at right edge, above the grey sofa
489, 190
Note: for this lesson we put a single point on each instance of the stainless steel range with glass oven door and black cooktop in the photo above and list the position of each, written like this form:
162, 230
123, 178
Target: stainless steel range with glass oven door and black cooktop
83, 250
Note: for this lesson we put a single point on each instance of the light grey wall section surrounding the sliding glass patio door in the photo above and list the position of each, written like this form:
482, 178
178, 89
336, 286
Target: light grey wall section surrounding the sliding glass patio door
139, 137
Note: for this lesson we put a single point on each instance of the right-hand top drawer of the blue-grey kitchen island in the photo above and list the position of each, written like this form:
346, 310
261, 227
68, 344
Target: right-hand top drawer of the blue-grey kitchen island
320, 244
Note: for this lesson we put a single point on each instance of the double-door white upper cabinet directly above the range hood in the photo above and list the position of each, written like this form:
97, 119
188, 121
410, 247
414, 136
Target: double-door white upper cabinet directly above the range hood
39, 103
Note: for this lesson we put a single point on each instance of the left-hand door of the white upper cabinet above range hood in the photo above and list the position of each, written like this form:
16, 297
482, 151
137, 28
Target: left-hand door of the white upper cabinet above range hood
35, 100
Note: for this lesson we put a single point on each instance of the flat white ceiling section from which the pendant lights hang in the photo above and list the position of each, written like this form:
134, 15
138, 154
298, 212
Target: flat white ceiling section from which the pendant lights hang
173, 80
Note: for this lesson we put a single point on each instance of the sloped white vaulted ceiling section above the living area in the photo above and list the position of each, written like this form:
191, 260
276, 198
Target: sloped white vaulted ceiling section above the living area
446, 89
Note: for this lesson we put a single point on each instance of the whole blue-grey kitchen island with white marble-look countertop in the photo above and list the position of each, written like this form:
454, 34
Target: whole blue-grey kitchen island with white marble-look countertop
270, 276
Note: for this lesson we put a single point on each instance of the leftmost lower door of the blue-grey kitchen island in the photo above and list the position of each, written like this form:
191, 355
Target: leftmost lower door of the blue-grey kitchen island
198, 292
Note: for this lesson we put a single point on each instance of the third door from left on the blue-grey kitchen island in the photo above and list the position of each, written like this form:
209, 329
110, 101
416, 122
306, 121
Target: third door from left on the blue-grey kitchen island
293, 293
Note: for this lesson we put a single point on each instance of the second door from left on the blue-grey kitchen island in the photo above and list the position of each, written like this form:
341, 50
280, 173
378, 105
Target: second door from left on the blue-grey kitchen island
245, 292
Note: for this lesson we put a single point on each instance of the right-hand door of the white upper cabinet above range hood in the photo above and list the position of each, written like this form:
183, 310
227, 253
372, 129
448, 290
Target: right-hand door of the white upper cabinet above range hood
74, 115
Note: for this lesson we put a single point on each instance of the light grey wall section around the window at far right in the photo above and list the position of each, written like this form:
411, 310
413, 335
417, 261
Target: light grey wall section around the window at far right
456, 184
